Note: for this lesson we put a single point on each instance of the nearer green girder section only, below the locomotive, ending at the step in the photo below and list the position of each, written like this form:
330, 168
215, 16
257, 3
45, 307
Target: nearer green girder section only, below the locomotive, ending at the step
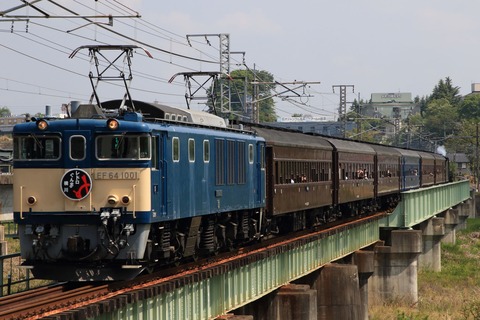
217, 295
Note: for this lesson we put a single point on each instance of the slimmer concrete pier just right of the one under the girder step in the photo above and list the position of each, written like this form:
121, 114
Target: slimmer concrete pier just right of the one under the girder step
433, 230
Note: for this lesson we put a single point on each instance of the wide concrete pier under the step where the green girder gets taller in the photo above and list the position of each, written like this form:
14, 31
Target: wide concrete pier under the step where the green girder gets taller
396, 267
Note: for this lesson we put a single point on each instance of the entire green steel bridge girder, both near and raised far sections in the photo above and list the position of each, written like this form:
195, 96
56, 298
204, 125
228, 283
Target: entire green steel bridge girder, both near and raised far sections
221, 293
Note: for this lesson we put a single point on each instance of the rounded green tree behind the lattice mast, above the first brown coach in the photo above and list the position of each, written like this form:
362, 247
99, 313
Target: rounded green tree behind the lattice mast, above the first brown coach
242, 95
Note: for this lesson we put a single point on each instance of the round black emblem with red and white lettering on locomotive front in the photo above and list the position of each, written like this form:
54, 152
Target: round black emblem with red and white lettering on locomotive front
76, 184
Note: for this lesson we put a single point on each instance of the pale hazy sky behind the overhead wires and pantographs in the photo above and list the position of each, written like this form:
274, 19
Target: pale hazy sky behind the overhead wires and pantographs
373, 46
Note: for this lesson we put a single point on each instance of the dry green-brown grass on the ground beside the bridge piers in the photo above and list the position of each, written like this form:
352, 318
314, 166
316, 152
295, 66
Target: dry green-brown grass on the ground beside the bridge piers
452, 293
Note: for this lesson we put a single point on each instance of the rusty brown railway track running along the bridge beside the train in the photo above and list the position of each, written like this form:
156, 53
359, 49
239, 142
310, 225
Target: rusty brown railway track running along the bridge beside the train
91, 300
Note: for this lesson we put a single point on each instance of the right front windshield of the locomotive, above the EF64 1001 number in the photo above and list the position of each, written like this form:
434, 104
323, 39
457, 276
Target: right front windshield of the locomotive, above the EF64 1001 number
128, 147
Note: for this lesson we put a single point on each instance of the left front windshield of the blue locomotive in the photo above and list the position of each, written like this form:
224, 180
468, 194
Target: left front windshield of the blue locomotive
34, 147
